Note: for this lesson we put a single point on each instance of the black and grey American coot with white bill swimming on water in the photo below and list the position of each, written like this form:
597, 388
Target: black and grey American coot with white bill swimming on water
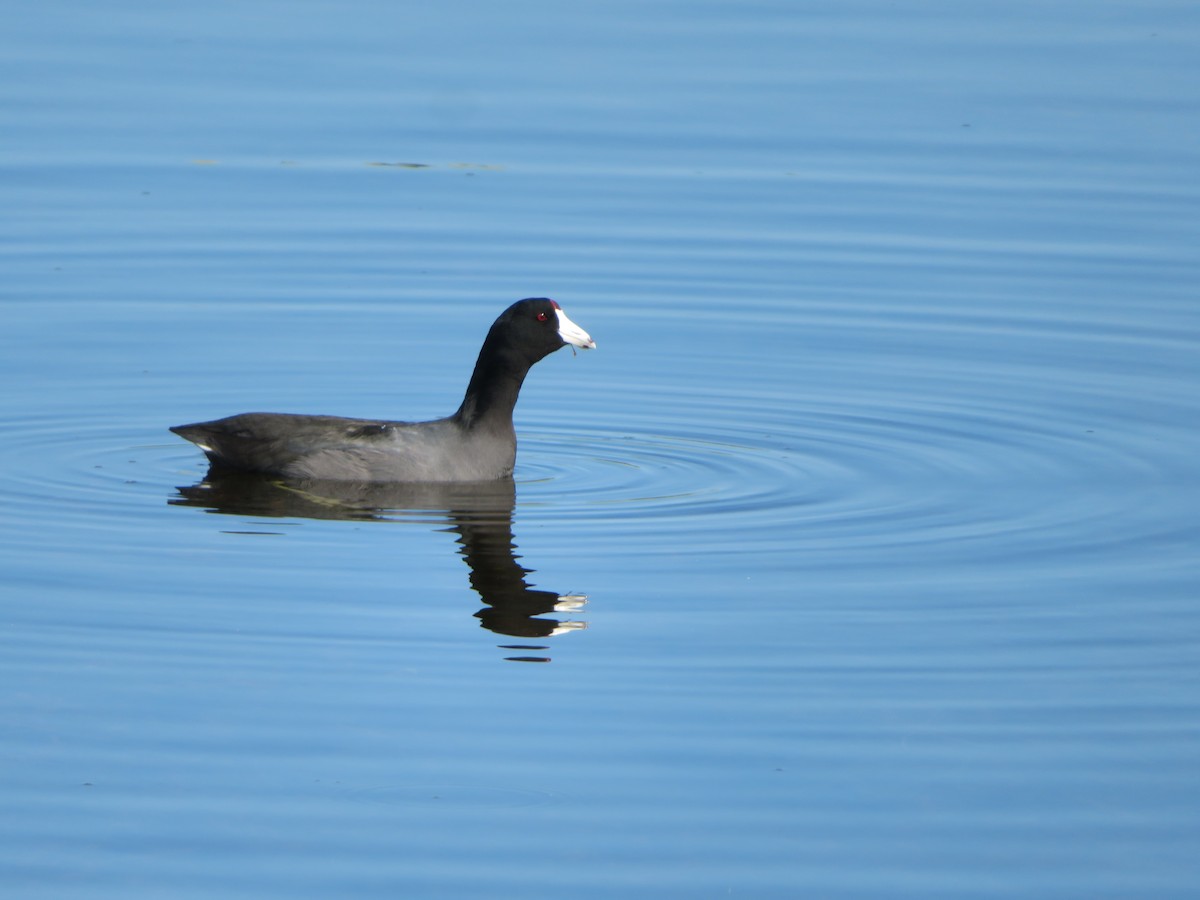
477, 443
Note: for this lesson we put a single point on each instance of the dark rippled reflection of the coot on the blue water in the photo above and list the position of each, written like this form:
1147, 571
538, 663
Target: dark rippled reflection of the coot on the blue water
479, 514
